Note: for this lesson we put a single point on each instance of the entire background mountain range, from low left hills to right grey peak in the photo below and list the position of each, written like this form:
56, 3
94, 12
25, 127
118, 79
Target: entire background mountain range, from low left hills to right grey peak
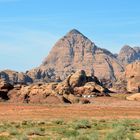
75, 52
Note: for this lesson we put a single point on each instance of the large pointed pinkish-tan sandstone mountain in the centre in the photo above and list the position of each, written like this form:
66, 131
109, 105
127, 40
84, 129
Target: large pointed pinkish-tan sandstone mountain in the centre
75, 52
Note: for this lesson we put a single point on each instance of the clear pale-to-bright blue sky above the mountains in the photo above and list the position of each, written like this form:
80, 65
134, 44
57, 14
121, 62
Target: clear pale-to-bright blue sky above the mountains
29, 28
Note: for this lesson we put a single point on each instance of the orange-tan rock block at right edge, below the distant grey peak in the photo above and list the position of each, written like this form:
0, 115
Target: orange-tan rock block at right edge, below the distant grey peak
133, 77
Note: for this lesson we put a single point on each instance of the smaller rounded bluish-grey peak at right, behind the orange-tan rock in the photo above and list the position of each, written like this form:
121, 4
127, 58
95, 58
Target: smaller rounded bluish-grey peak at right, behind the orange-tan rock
128, 54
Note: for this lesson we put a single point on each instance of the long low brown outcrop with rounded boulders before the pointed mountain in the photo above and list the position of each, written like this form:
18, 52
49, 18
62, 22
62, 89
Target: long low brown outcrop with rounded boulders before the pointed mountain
68, 91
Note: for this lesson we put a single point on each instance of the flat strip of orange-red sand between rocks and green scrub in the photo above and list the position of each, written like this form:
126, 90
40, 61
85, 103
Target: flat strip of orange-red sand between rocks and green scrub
101, 108
